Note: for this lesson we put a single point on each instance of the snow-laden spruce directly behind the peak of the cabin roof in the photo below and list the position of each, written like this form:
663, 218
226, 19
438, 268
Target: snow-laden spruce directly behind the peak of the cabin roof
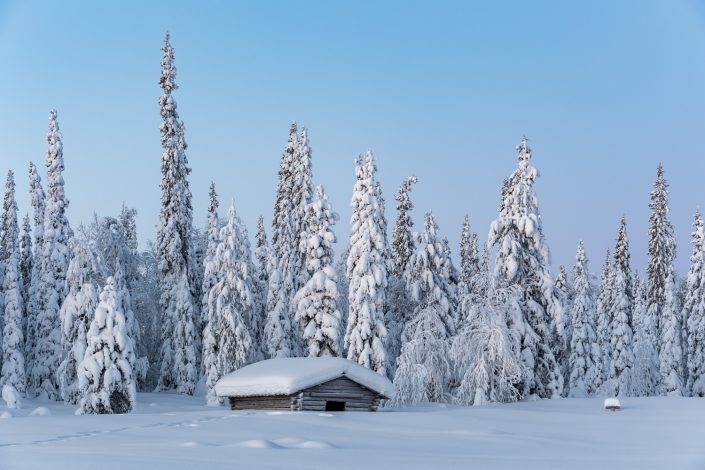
316, 301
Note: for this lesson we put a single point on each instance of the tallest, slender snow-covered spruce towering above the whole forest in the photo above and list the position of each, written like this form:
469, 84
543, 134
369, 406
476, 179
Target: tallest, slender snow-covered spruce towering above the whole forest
174, 250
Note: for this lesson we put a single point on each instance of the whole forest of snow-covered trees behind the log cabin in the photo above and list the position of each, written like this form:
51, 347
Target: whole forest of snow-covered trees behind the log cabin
90, 318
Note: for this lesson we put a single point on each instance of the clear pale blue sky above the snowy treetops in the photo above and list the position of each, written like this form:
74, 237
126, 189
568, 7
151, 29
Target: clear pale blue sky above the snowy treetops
444, 90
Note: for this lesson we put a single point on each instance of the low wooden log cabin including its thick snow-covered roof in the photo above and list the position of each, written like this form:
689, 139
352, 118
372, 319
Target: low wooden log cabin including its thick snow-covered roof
305, 384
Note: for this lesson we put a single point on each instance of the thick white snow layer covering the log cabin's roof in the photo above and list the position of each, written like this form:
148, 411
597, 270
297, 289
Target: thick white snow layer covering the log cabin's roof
290, 375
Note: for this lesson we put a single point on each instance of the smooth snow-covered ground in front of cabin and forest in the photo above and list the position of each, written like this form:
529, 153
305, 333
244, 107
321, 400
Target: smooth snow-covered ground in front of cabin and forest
173, 432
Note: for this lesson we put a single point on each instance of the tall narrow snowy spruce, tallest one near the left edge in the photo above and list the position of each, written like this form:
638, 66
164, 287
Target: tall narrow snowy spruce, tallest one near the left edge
55, 263
